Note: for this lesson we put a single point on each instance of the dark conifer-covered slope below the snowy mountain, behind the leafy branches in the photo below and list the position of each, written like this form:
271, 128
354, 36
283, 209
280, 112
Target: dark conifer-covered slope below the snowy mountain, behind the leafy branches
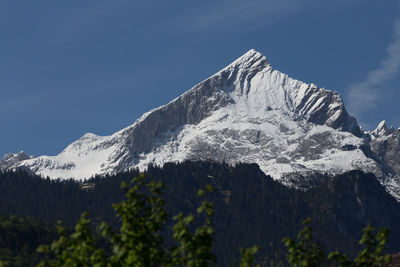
250, 208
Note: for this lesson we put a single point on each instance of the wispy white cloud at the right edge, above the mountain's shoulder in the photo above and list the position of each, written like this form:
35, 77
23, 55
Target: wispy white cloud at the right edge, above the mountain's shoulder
364, 95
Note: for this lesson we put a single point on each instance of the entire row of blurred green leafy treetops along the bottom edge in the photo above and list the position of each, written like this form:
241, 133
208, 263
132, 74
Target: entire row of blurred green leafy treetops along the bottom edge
139, 241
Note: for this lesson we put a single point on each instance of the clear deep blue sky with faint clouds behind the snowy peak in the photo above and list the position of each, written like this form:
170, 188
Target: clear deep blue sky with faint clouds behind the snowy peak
71, 67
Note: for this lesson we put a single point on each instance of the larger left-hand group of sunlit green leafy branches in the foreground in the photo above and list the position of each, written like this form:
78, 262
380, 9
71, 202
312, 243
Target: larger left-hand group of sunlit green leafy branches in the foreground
139, 241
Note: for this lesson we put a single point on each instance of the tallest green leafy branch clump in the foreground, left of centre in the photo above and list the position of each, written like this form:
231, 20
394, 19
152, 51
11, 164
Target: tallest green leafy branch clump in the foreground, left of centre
139, 241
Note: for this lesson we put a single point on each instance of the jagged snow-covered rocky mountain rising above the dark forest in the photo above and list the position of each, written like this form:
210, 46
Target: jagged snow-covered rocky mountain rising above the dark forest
247, 112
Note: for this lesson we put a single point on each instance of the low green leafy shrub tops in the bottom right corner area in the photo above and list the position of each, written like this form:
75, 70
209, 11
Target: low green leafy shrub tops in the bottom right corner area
305, 252
